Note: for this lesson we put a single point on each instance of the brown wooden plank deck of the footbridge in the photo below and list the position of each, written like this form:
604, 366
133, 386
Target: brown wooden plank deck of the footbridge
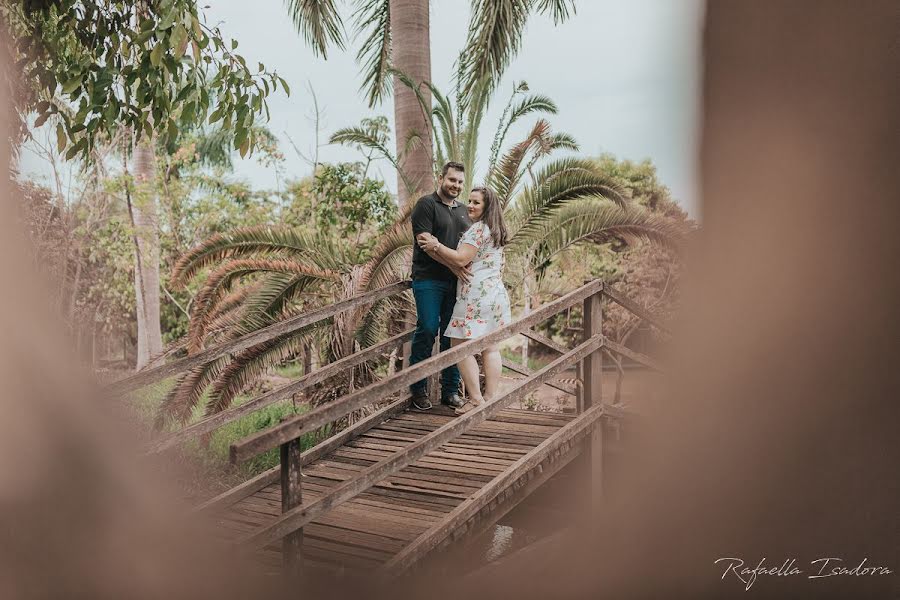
369, 530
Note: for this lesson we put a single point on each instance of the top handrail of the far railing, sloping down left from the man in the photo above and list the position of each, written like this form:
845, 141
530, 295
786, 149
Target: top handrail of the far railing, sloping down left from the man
158, 373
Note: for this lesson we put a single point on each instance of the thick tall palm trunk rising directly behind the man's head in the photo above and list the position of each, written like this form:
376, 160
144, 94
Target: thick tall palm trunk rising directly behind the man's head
411, 54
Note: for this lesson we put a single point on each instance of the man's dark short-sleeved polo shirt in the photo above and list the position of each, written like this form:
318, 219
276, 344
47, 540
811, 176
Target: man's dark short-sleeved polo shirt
447, 224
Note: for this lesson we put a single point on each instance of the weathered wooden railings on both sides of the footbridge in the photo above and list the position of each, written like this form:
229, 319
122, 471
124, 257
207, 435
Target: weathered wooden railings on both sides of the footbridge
587, 355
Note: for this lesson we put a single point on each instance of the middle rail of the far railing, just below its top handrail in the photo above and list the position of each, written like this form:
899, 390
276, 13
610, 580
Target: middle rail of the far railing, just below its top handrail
217, 420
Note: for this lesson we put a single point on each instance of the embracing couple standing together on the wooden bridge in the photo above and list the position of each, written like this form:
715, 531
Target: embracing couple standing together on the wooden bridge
456, 271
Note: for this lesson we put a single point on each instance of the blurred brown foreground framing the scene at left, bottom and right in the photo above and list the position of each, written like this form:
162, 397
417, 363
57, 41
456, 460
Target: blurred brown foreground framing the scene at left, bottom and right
776, 442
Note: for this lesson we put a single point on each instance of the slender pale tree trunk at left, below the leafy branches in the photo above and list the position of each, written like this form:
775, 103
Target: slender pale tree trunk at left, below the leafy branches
146, 236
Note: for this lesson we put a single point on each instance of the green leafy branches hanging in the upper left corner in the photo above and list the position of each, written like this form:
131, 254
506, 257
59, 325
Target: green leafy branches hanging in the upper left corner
151, 67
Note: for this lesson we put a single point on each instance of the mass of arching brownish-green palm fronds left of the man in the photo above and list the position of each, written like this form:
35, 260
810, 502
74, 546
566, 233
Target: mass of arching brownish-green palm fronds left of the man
262, 275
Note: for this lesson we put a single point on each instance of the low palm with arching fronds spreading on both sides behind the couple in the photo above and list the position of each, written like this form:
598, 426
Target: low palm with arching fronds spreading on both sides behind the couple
261, 275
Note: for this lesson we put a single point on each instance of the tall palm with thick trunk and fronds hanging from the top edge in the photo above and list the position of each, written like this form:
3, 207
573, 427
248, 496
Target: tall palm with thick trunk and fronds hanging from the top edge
396, 39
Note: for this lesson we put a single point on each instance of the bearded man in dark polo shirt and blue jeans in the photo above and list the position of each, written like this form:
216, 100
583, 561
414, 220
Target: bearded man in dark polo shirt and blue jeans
434, 283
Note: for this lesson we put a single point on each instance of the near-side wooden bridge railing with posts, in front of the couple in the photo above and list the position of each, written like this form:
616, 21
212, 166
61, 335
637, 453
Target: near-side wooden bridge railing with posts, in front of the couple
286, 435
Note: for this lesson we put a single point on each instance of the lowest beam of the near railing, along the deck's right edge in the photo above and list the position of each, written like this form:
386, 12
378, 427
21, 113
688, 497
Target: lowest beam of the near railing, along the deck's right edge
431, 538
